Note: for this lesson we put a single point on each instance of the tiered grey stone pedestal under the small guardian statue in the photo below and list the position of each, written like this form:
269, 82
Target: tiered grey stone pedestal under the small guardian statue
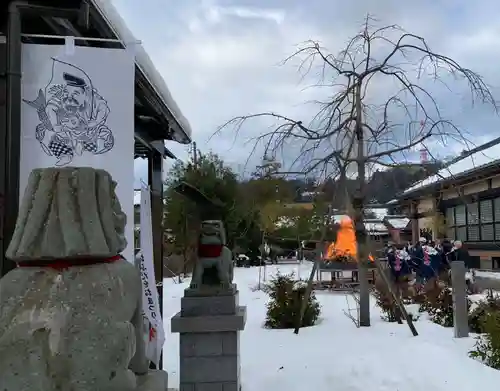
209, 324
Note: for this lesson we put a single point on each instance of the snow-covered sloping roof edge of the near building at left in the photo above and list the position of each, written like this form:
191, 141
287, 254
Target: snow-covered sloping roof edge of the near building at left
144, 63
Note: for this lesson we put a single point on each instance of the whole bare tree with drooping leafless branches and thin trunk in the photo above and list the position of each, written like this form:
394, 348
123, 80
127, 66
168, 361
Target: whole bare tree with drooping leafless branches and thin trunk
351, 130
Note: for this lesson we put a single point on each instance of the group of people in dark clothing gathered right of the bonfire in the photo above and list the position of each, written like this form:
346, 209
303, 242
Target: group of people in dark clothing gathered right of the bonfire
426, 260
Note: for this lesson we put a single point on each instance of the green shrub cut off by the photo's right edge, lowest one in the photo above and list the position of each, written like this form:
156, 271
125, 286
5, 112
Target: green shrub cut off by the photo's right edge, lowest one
487, 347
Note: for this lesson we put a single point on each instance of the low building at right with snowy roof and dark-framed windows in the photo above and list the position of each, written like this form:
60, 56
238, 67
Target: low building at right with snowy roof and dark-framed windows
461, 202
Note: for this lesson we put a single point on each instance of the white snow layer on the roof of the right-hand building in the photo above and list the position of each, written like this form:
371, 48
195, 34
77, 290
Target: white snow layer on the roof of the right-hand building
468, 164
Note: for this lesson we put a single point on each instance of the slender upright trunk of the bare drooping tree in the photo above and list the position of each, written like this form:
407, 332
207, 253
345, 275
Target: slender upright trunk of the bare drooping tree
358, 204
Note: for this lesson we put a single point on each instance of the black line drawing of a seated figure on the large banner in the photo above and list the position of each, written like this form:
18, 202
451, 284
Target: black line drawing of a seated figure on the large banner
72, 115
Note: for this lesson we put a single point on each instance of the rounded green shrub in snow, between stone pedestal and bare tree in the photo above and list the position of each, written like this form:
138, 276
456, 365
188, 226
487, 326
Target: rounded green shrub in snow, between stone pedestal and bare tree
286, 296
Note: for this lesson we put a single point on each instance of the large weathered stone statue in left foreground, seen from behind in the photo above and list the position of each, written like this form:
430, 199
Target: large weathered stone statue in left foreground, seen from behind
70, 313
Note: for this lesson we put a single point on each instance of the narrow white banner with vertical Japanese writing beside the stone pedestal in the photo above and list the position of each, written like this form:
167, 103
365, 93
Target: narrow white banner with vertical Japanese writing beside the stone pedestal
150, 299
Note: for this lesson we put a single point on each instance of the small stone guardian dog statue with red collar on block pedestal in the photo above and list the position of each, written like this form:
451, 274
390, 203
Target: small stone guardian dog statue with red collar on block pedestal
214, 266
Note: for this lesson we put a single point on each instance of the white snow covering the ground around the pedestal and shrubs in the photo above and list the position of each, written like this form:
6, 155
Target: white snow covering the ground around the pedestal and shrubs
335, 355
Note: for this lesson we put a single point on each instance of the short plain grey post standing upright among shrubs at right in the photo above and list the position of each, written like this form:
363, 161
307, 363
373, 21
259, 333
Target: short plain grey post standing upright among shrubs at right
459, 292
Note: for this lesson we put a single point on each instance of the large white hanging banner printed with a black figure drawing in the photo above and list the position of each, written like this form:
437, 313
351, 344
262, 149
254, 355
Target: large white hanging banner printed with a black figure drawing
78, 110
